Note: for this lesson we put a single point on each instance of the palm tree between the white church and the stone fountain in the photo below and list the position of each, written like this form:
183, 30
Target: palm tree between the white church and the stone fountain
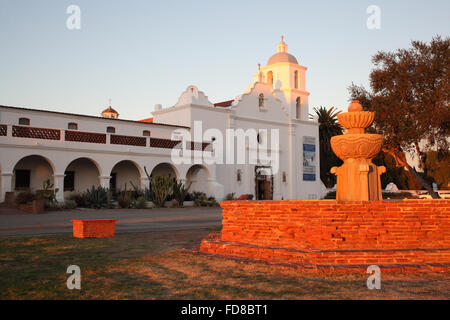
328, 127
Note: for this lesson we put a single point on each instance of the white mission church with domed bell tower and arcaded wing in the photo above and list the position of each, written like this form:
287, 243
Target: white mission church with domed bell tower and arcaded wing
77, 151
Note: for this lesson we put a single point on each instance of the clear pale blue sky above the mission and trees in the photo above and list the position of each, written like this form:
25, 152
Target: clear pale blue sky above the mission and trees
141, 53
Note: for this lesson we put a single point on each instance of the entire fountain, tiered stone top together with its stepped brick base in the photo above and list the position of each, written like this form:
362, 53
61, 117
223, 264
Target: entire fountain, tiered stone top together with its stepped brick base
318, 235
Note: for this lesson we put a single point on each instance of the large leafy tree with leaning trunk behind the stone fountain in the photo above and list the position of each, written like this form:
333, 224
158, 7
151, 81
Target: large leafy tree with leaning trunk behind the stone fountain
410, 94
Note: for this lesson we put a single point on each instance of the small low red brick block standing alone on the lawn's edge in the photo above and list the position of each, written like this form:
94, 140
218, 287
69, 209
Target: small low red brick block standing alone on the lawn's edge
94, 228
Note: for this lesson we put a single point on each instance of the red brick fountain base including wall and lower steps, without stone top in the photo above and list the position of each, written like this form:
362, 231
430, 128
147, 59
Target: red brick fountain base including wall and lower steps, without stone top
337, 235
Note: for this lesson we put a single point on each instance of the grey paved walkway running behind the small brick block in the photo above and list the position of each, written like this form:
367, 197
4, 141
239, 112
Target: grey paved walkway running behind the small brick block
18, 223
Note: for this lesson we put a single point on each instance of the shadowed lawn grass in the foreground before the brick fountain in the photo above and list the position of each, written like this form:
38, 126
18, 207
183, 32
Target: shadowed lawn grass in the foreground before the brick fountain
155, 266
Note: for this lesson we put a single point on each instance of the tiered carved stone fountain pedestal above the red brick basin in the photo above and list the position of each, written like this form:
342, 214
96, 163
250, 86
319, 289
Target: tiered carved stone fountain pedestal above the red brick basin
358, 179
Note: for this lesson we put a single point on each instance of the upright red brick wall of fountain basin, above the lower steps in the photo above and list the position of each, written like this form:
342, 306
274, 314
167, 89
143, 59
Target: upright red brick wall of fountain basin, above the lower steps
333, 225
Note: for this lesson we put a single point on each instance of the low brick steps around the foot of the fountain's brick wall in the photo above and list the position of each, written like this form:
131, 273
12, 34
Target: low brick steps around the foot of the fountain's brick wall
344, 260
